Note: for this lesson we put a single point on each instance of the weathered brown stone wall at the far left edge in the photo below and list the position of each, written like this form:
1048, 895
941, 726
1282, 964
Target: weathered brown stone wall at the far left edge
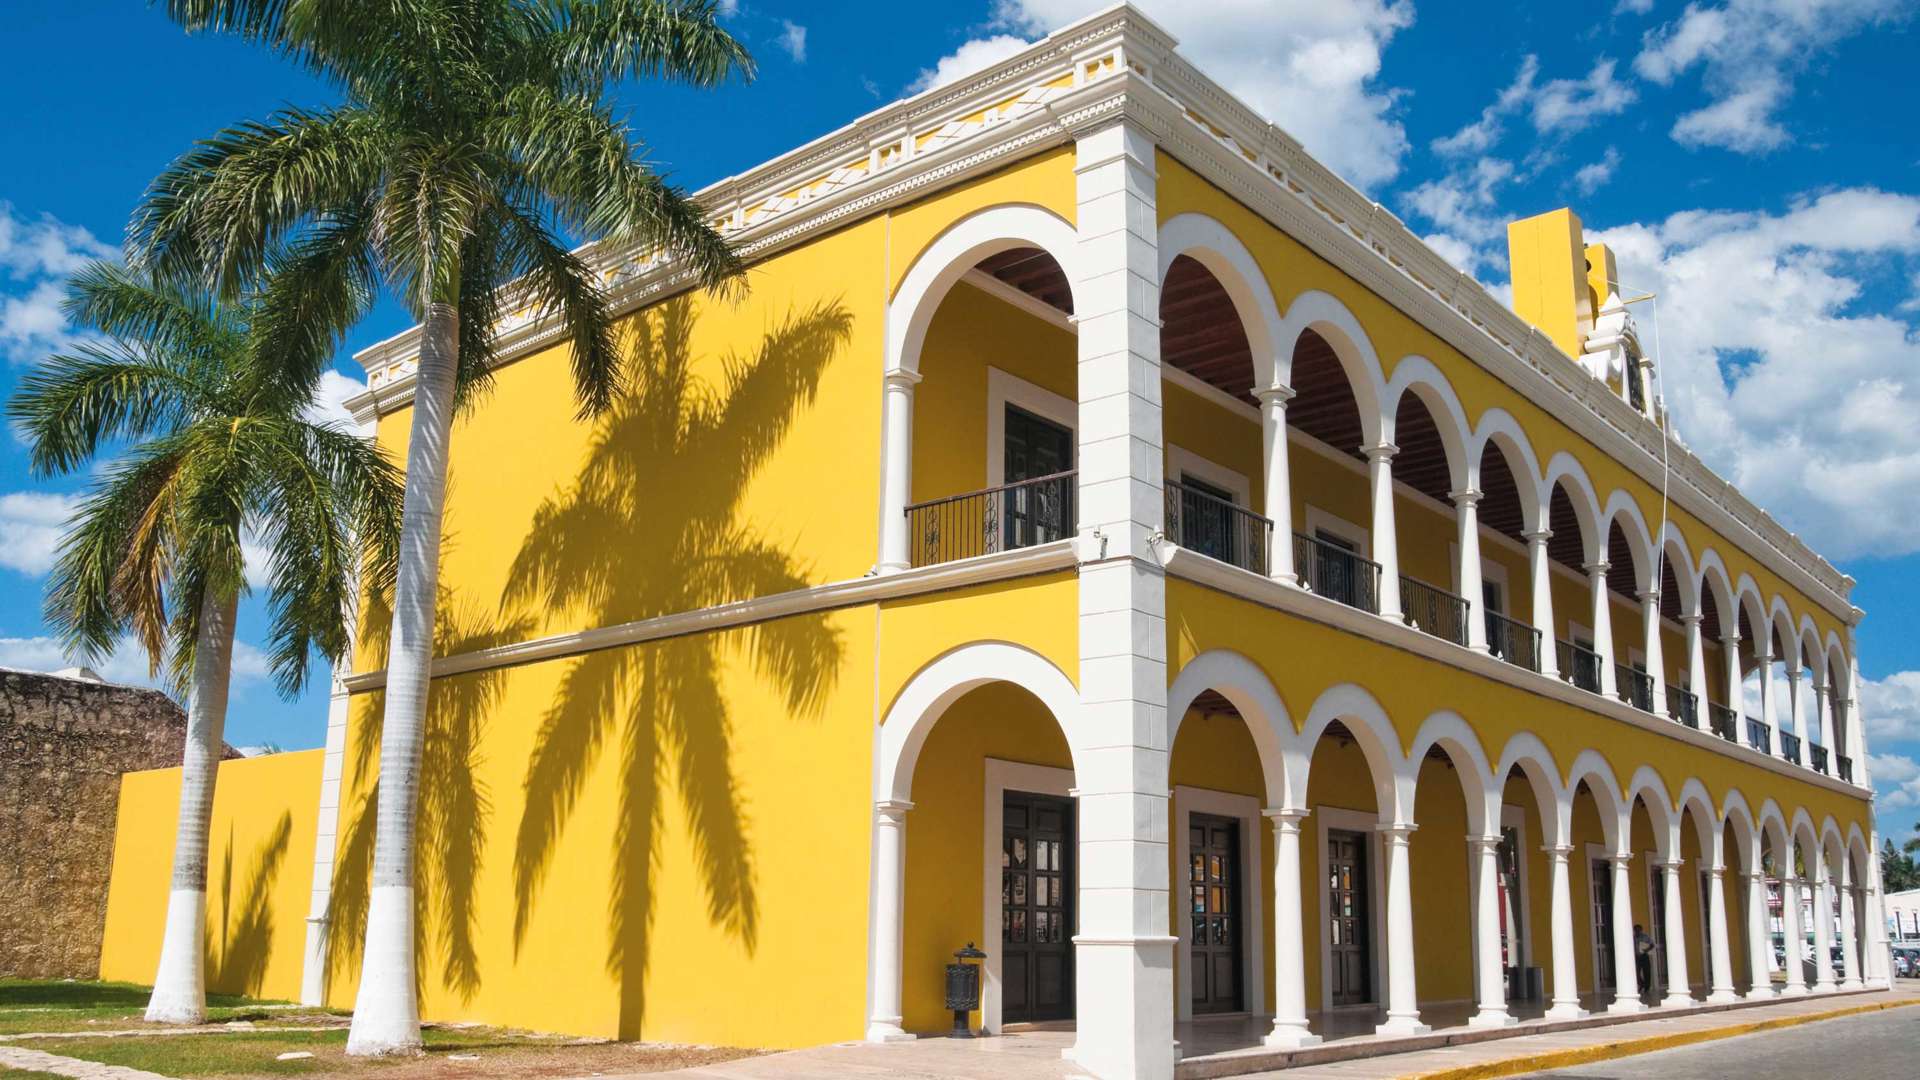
64, 745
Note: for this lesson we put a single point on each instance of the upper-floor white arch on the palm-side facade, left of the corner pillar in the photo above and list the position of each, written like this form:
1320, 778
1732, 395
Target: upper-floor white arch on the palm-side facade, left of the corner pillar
961, 249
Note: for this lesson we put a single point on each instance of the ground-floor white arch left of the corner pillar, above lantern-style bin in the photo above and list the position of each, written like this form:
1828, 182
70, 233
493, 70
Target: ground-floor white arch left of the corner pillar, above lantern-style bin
946, 681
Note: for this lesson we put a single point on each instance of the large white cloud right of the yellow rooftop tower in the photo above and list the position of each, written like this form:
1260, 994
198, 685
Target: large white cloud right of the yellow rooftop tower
1773, 368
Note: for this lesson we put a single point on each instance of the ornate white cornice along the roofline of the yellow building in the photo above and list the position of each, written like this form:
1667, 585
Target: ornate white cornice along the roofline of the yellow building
1111, 66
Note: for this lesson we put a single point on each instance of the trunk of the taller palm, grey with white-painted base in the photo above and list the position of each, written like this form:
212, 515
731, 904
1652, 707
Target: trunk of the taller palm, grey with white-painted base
387, 1016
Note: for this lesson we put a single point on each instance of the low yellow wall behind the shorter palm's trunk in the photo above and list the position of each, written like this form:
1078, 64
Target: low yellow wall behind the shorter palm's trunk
260, 873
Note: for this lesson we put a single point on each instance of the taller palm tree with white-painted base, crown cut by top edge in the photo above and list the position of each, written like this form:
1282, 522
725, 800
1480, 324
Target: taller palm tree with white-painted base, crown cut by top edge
469, 137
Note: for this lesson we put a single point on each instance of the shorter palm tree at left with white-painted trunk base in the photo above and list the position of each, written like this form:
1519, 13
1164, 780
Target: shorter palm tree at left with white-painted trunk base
218, 447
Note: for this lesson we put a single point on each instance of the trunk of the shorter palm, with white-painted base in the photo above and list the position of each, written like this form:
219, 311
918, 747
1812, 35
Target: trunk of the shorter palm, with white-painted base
180, 985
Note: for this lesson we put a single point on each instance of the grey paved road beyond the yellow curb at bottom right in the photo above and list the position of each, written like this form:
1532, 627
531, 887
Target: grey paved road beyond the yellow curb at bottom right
1879, 1046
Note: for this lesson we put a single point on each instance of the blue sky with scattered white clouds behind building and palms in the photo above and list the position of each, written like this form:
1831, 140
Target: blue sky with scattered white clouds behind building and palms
1746, 160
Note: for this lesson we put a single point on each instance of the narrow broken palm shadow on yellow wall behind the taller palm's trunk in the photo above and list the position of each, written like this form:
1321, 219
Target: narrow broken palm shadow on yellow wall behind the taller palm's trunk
454, 810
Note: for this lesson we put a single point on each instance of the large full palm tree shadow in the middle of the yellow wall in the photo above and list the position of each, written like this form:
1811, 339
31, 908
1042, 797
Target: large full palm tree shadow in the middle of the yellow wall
650, 529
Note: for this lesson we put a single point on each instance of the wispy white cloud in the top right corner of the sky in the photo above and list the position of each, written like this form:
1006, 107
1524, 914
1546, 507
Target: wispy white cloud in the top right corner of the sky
1748, 53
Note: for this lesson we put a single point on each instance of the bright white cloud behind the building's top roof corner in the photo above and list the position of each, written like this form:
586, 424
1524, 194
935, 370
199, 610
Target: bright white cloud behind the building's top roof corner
1305, 64
